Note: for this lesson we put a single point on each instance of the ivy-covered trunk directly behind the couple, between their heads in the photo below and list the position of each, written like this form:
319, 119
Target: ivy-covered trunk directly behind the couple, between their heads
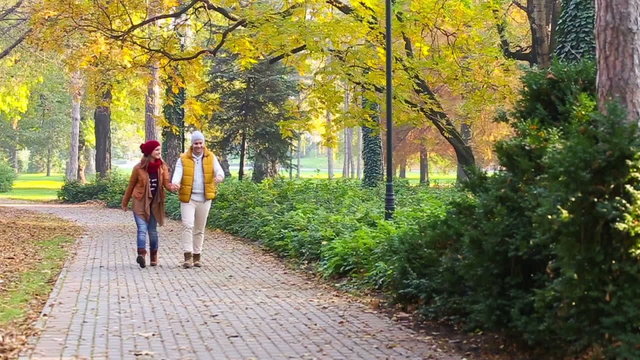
173, 133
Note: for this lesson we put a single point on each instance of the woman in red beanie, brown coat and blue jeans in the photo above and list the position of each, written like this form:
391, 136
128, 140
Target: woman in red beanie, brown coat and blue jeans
148, 180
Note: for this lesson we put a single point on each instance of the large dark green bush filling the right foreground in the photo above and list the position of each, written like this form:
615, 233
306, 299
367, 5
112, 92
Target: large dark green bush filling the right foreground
547, 249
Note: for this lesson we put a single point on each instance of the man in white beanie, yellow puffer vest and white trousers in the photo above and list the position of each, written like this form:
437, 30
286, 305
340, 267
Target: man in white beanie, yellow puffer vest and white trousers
196, 174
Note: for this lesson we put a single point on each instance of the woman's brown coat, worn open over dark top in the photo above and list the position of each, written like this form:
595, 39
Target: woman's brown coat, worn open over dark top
140, 190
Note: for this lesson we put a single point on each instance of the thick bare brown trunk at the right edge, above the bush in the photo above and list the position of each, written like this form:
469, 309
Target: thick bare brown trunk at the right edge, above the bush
618, 54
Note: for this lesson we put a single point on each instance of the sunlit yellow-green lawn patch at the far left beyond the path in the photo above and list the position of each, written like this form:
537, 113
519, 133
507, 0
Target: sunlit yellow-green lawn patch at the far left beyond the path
35, 187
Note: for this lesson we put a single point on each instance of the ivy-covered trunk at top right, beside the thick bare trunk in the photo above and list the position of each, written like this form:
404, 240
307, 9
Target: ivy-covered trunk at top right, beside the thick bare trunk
576, 31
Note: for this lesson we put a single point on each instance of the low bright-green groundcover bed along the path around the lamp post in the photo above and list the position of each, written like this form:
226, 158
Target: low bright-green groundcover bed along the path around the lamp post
337, 225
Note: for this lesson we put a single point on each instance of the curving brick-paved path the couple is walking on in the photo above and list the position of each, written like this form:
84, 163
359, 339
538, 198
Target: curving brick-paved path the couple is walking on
242, 304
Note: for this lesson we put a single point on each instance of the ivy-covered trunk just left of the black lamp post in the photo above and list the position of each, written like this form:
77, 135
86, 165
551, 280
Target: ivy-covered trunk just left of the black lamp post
372, 149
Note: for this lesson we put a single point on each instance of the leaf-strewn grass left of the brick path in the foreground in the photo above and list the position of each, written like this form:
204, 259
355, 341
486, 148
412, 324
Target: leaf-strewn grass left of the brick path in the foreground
34, 248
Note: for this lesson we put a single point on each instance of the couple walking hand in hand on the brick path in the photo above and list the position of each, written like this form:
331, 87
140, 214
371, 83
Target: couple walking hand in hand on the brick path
195, 178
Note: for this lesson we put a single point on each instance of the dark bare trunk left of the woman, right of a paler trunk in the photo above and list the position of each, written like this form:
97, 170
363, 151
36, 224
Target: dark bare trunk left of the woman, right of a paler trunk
102, 118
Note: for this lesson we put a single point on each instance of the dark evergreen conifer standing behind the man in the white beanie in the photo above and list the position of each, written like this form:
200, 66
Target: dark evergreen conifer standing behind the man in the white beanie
253, 103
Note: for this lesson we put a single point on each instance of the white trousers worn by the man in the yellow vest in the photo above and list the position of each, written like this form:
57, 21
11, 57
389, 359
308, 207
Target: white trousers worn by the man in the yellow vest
194, 218
